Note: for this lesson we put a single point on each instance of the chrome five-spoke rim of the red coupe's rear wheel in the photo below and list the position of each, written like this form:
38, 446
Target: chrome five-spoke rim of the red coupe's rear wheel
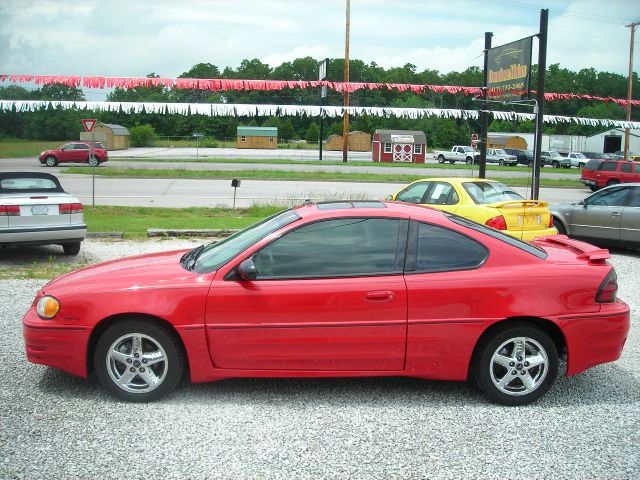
519, 366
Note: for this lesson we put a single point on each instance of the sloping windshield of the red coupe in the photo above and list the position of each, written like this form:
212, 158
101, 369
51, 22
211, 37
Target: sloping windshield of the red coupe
214, 255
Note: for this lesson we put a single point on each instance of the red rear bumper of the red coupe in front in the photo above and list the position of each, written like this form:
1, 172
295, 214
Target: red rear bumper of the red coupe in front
595, 338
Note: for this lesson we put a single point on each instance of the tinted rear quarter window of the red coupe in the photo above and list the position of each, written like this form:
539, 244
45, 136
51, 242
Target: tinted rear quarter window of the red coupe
440, 249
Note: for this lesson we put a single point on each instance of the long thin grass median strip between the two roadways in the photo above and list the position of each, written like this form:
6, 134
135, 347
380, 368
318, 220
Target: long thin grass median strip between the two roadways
292, 175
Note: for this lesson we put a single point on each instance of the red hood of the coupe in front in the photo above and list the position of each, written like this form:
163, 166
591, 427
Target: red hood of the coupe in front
157, 270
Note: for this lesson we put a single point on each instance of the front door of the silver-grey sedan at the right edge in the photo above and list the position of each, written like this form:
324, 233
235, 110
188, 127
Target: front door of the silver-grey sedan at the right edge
598, 217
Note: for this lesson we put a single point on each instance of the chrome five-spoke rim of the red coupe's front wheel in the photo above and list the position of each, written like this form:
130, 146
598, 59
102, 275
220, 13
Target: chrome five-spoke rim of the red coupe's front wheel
137, 363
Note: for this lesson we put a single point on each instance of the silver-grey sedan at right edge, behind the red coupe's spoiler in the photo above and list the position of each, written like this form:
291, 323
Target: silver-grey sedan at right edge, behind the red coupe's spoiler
610, 216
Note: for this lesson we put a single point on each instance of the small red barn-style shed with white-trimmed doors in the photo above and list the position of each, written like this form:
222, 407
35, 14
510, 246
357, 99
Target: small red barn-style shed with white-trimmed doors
399, 146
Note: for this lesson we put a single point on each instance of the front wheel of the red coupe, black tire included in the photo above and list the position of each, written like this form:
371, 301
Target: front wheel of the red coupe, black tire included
124, 352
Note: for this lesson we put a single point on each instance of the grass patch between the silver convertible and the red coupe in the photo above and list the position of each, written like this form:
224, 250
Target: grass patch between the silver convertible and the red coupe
134, 221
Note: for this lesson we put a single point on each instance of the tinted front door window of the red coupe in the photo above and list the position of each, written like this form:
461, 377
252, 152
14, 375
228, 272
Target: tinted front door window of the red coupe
334, 248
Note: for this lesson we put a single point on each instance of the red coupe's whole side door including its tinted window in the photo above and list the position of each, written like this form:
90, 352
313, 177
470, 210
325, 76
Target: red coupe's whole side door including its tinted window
328, 296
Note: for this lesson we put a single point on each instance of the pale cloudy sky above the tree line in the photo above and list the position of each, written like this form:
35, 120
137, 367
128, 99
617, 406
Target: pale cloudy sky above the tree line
133, 38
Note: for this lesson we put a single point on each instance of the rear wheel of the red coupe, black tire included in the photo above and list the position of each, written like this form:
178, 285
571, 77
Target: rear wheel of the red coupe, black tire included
504, 352
